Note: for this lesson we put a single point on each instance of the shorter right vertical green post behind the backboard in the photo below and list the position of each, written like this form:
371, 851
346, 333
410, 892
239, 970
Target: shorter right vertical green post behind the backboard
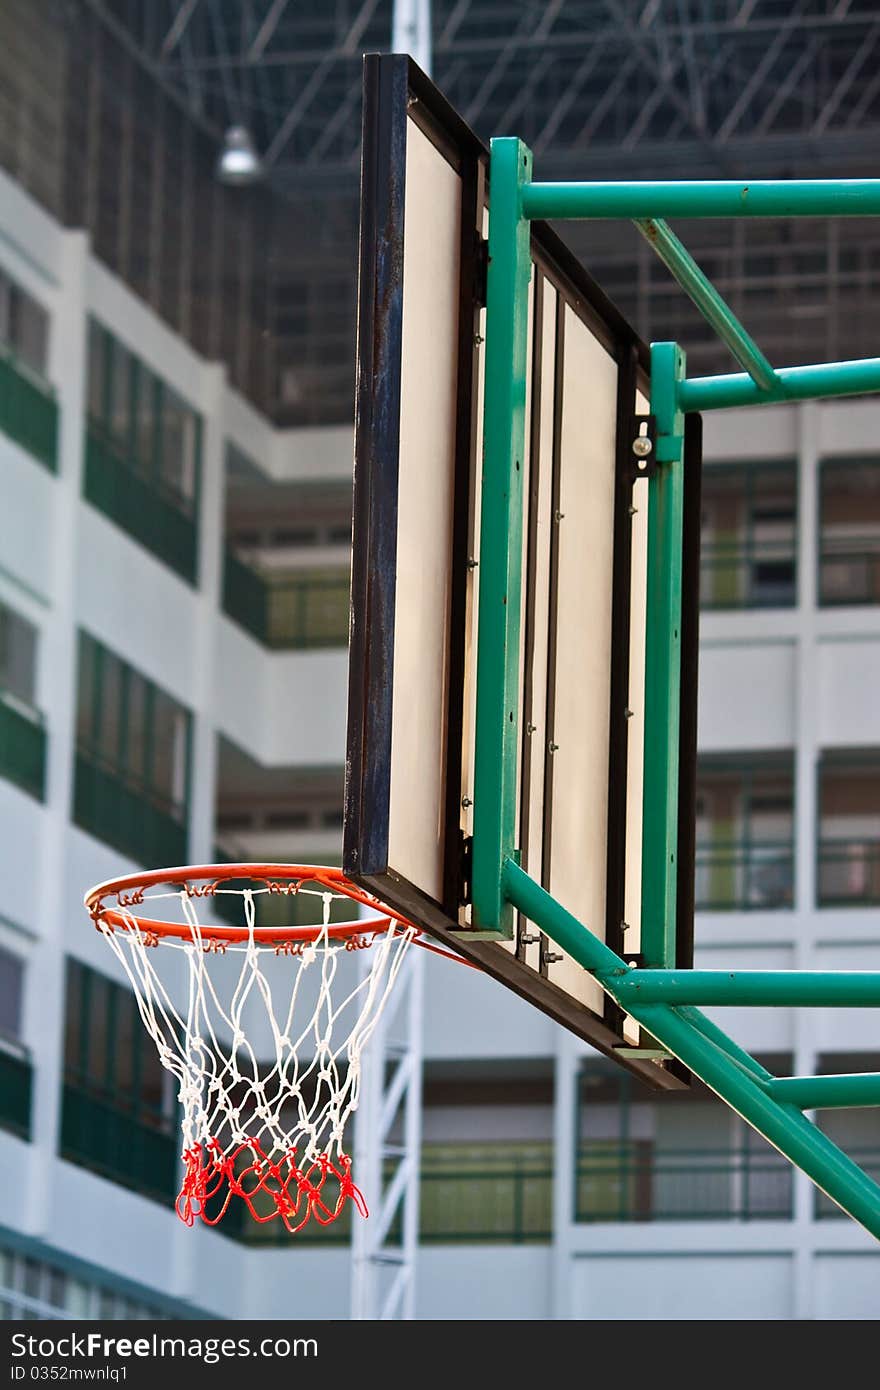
664, 662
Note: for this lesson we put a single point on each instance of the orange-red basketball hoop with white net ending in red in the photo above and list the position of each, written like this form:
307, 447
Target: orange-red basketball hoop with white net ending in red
265, 1129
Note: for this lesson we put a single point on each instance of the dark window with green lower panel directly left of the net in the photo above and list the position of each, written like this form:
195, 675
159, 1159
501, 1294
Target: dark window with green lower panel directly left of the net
117, 1110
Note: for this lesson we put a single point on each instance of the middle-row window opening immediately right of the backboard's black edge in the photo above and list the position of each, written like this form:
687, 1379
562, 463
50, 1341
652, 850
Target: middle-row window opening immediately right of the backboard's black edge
746, 832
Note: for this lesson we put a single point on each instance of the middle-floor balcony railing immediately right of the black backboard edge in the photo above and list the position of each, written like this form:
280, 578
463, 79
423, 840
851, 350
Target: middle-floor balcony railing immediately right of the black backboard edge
733, 876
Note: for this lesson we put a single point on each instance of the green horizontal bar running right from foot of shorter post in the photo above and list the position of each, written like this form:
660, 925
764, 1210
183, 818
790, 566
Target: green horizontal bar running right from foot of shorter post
821, 989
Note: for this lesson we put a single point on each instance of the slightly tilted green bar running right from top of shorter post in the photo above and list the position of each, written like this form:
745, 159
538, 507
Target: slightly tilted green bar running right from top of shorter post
825, 379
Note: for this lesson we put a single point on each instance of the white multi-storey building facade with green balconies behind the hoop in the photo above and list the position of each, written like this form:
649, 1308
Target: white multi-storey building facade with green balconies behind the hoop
173, 647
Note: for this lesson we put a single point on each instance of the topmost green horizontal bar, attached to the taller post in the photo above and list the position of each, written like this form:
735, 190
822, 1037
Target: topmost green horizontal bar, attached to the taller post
768, 198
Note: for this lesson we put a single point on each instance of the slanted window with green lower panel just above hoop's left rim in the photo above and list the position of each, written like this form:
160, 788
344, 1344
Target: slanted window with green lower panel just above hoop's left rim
133, 760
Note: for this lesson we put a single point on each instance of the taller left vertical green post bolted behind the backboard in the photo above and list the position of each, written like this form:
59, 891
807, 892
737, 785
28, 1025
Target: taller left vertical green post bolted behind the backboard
501, 528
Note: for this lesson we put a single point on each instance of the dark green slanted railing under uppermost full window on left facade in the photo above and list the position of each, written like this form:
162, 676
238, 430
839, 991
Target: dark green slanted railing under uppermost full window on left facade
152, 515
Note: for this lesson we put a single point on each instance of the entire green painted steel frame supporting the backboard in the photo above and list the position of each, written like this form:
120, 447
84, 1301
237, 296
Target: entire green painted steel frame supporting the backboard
658, 997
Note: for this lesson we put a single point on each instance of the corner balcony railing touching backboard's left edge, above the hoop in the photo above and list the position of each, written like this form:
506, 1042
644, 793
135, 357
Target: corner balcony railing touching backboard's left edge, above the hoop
295, 611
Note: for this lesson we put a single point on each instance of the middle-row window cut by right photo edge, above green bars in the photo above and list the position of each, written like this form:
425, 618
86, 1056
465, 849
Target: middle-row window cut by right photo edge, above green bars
850, 828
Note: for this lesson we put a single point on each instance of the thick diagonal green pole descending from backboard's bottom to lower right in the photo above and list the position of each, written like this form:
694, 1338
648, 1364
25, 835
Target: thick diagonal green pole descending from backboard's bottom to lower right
711, 1056
